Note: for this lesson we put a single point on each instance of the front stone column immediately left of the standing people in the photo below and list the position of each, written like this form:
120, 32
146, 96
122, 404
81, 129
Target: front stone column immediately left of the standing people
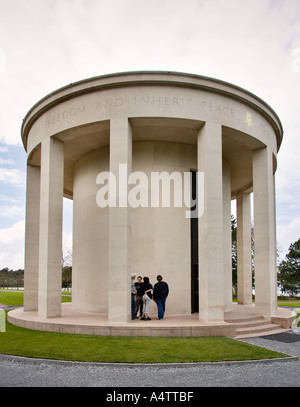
119, 297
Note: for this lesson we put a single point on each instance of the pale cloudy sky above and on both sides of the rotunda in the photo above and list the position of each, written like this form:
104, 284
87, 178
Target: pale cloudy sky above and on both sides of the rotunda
46, 44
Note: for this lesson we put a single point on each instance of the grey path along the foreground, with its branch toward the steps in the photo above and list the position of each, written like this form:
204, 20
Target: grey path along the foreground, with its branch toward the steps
15, 373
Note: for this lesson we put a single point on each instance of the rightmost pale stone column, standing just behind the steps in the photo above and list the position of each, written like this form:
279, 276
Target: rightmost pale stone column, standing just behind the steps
264, 233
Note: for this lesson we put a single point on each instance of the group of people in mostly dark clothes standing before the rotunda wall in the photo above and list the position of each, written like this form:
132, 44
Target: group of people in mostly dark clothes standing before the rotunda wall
142, 294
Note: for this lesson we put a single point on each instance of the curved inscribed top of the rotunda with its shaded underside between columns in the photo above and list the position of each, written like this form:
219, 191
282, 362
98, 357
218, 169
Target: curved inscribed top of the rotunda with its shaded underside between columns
82, 110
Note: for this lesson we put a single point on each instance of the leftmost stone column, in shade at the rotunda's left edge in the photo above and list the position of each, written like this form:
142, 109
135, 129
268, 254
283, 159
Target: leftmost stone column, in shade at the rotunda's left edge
32, 229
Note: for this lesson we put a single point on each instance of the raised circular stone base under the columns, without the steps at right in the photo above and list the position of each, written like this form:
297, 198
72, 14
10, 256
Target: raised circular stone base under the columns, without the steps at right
76, 322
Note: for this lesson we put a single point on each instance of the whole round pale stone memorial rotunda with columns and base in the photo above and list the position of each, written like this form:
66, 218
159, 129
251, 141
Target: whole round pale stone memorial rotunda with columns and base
152, 161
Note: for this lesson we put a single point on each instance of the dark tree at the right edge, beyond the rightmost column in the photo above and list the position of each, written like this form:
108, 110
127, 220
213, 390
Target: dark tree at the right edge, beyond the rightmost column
289, 270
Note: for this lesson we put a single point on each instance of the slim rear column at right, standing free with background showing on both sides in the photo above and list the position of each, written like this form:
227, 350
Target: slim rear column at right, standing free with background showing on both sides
244, 269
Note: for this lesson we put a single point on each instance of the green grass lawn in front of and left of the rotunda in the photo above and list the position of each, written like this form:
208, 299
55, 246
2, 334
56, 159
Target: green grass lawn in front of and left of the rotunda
86, 348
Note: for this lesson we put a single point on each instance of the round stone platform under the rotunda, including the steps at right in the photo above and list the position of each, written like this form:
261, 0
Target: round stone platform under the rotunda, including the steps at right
75, 322
